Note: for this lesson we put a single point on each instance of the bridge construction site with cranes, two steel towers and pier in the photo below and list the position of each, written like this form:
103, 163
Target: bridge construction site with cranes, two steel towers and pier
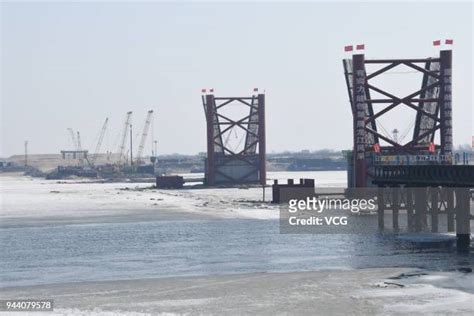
414, 168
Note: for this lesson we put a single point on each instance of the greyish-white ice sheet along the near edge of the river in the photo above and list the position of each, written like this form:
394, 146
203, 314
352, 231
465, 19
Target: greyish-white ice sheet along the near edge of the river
357, 292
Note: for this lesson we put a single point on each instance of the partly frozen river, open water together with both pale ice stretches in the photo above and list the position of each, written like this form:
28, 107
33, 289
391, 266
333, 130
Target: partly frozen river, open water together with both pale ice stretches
112, 249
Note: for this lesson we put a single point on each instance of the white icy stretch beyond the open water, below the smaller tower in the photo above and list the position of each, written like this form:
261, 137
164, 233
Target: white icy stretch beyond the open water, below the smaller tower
28, 201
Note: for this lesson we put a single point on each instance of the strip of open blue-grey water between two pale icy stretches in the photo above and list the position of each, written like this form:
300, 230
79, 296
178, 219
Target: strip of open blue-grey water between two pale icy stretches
155, 249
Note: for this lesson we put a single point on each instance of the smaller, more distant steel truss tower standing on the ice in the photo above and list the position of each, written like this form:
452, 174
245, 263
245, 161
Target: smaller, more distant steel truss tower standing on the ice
224, 165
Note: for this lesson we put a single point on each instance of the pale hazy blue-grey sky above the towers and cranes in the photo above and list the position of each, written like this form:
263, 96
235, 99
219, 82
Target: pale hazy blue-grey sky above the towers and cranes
73, 64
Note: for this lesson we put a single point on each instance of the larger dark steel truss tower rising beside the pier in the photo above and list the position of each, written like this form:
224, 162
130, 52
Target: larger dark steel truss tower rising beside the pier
431, 104
